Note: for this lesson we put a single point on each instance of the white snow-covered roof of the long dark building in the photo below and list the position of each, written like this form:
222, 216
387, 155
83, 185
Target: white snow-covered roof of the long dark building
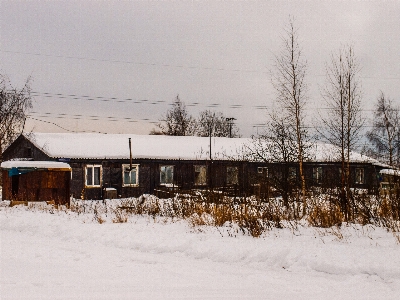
116, 146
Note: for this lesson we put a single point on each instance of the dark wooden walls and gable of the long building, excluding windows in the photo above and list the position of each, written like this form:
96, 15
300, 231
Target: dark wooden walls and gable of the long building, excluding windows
250, 181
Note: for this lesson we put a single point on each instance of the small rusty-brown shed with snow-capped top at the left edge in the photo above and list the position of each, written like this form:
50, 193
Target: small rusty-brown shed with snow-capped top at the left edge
36, 181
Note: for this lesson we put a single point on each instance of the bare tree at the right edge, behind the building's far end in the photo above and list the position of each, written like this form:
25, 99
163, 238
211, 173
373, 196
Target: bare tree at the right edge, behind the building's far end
385, 130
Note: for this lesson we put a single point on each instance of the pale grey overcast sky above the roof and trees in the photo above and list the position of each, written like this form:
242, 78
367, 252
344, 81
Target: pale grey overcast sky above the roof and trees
117, 66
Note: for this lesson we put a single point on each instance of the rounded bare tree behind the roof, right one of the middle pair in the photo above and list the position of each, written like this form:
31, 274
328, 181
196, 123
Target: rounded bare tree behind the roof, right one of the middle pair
216, 124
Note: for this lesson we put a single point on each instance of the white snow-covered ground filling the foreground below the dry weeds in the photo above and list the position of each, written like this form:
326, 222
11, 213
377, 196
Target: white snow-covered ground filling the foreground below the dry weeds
51, 254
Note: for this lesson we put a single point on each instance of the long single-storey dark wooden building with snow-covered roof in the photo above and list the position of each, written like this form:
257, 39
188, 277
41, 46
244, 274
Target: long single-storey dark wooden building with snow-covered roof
104, 165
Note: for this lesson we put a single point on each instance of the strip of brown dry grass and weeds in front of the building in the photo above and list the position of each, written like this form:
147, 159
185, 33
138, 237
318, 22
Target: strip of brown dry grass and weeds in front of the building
250, 216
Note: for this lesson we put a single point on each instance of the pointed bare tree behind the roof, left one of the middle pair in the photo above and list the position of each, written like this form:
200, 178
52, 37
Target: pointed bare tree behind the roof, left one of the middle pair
177, 120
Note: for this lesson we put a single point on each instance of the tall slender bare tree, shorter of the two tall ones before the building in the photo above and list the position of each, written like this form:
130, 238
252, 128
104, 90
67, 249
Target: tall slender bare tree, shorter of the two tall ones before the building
343, 122
